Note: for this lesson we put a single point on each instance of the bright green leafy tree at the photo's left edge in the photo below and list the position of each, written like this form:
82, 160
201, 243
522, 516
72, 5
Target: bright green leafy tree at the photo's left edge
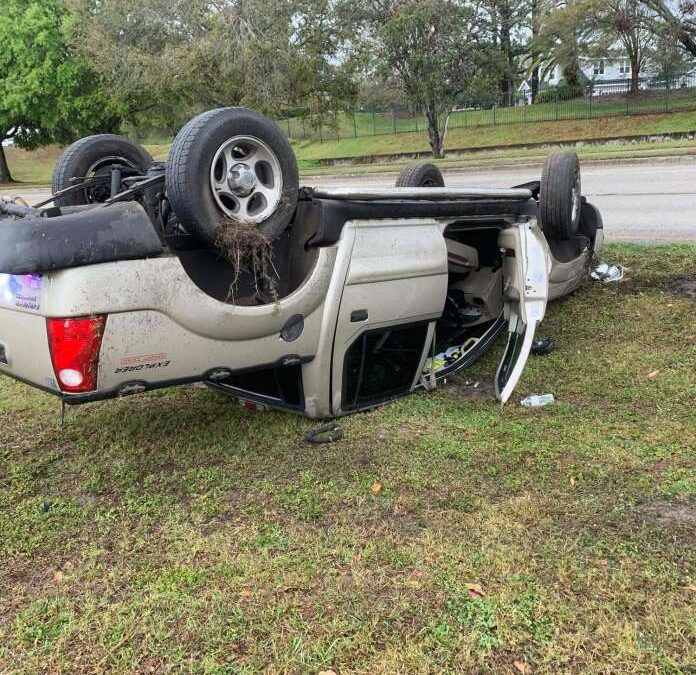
48, 94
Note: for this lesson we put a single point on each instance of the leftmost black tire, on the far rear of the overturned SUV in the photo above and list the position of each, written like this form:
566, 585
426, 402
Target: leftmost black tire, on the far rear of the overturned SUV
93, 155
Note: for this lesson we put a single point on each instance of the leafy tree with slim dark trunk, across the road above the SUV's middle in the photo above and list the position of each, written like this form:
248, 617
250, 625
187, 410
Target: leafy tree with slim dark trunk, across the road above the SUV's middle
430, 48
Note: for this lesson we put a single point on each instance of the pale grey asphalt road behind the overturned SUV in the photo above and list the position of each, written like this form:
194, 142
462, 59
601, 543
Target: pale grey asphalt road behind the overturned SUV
652, 201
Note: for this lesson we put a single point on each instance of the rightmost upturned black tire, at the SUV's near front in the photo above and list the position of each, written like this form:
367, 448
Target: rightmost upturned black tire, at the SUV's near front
560, 195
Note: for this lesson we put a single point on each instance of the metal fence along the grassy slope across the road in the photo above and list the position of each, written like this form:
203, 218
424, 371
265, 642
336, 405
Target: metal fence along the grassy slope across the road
594, 100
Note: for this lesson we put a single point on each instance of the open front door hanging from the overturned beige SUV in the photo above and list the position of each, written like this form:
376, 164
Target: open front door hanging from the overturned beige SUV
526, 268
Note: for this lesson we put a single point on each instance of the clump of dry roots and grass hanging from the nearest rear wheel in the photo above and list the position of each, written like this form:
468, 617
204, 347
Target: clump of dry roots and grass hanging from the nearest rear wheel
248, 249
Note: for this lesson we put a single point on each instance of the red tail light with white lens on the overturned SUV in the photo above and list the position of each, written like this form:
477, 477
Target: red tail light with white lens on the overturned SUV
75, 345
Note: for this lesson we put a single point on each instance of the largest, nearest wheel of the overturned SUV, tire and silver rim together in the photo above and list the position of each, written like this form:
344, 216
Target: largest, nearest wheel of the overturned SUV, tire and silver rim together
232, 165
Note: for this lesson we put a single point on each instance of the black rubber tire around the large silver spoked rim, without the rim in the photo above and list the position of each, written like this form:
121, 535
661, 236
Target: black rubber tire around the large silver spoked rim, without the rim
189, 167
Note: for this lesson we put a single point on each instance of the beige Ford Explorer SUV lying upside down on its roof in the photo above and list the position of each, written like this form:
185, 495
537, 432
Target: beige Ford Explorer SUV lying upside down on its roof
121, 285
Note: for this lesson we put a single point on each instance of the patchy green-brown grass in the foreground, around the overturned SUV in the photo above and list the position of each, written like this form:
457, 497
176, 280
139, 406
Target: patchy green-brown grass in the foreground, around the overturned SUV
178, 532
